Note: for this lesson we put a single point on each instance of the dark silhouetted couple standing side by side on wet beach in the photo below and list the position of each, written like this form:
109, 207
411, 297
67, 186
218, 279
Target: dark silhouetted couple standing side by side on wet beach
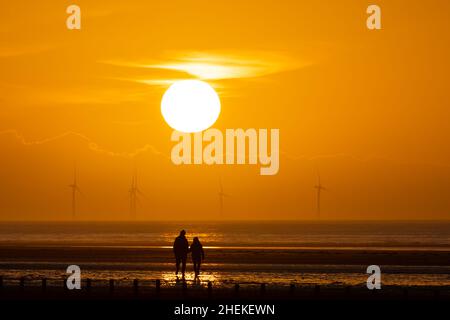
181, 250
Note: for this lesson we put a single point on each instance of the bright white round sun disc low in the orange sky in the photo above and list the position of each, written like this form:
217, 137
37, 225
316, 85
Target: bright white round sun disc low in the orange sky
190, 106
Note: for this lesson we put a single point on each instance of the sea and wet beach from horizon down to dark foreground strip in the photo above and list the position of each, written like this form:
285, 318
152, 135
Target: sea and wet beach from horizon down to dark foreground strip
246, 253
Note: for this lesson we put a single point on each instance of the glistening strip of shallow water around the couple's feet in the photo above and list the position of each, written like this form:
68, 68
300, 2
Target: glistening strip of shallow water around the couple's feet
224, 277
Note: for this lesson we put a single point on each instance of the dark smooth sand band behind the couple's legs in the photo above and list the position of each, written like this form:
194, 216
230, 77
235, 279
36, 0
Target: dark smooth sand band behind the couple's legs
319, 256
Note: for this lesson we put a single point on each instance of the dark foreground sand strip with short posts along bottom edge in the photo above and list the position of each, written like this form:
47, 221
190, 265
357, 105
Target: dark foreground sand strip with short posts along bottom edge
242, 293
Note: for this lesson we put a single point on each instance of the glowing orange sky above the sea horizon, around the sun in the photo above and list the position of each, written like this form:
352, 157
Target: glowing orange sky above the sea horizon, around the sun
370, 110
